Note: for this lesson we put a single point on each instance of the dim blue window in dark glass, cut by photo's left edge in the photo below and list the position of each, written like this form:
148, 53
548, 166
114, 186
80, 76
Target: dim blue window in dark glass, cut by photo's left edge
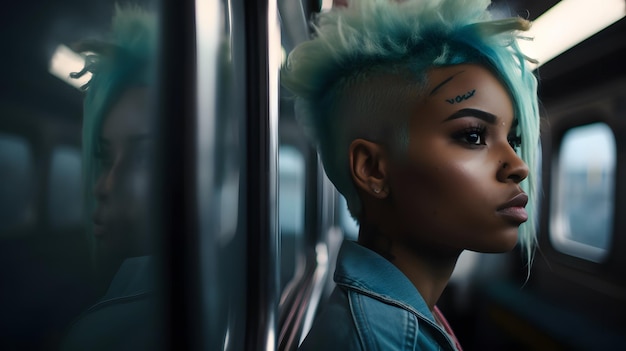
16, 188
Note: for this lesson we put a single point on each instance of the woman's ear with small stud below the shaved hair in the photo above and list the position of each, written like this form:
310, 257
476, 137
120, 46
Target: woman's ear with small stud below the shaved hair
368, 165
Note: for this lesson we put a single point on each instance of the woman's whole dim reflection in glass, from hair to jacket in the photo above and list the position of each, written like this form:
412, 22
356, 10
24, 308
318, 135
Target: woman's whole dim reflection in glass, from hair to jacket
118, 143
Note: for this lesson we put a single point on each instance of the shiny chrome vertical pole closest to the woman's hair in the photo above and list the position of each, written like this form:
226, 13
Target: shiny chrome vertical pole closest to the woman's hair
262, 34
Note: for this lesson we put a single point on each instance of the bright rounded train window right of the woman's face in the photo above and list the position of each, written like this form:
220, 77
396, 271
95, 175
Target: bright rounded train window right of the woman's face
584, 193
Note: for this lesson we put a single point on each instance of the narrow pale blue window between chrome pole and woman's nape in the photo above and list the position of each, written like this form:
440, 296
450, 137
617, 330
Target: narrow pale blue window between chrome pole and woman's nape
291, 211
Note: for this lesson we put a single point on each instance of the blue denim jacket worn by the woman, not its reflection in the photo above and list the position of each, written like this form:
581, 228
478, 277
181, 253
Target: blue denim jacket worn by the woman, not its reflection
374, 307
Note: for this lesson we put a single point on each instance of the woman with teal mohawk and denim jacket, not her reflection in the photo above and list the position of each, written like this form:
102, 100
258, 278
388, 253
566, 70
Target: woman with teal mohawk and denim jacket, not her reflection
425, 117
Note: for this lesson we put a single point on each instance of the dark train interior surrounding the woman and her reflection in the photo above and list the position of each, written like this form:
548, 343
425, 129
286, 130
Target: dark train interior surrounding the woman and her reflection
258, 227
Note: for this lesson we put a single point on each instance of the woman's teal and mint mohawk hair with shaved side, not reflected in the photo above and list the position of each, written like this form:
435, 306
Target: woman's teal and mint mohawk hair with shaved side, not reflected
370, 60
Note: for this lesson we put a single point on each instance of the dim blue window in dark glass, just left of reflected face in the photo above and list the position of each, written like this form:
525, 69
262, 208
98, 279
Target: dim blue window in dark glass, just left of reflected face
65, 205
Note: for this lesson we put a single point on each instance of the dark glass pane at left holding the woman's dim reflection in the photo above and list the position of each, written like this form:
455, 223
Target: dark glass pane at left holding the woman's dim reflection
74, 255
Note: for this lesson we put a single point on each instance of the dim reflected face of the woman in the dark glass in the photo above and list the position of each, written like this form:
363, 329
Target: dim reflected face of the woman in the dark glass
122, 189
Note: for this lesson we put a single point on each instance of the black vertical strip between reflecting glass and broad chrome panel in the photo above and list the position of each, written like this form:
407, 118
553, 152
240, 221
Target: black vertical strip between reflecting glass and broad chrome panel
177, 175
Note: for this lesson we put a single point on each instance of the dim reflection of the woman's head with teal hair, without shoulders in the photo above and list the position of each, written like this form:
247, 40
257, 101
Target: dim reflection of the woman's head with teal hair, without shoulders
117, 132
